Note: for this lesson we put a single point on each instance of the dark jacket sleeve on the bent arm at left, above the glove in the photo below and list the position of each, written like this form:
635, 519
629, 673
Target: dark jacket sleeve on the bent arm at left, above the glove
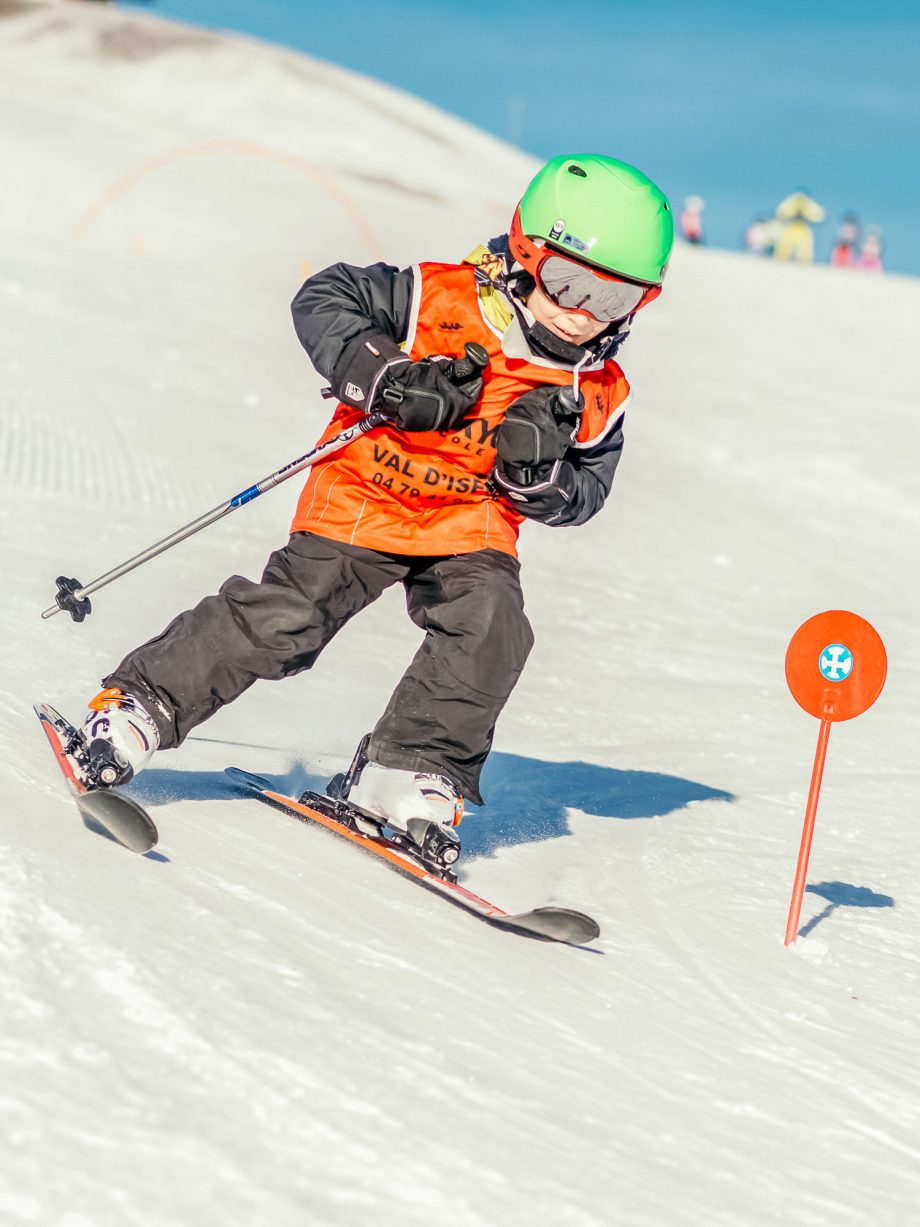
343, 302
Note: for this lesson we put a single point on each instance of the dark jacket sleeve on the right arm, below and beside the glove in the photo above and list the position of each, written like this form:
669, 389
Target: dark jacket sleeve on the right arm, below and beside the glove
576, 488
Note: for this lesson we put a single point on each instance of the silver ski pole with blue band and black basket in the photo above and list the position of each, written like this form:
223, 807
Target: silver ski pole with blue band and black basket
74, 597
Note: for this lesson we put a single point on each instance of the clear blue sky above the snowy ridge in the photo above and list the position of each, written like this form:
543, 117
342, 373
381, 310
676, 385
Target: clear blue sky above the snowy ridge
738, 102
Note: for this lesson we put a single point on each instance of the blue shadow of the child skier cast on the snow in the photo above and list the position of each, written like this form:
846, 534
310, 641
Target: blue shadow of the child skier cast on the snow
528, 798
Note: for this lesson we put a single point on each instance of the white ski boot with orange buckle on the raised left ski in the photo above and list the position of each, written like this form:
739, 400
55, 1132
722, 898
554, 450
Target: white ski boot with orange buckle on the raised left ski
121, 739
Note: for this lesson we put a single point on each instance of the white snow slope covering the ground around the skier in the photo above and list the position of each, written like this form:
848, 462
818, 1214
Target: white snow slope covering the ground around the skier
255, 1025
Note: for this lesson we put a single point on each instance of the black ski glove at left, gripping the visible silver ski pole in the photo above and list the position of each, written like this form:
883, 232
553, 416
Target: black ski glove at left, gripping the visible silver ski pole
374, 374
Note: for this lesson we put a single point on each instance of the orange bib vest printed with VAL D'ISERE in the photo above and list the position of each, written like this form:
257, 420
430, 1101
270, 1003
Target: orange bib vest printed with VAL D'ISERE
426, 493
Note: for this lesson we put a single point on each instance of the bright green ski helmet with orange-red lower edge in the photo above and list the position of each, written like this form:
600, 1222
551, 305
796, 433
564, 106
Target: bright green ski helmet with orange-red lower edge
600, 213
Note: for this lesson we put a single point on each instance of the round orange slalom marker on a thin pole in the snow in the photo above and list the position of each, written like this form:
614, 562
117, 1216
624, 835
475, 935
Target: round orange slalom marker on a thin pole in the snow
836, 669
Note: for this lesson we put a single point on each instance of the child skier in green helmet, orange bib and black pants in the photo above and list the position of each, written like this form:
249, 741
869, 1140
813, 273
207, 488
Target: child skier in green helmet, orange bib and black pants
432, 500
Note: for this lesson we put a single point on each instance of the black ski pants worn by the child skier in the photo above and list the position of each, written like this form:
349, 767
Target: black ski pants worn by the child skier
442, 716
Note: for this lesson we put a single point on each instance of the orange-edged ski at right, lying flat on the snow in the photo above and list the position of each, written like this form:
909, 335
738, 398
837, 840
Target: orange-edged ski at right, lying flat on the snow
548, 923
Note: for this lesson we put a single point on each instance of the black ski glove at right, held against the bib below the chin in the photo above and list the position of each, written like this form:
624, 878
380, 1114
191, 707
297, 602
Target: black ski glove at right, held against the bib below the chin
538, 430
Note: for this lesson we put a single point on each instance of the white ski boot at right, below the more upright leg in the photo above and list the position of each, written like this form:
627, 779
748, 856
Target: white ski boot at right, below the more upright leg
421, 808
